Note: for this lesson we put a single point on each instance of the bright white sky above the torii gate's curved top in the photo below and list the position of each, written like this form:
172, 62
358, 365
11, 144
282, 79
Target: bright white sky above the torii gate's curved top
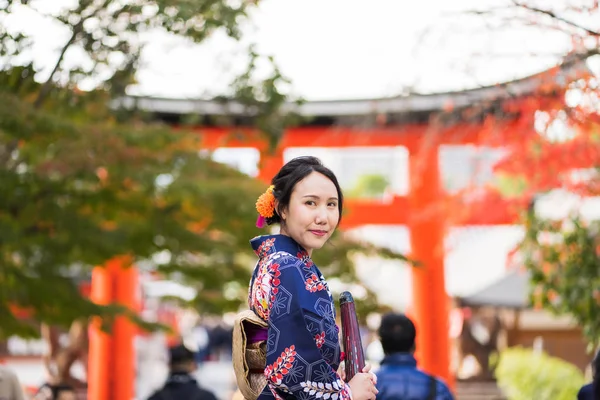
333, 49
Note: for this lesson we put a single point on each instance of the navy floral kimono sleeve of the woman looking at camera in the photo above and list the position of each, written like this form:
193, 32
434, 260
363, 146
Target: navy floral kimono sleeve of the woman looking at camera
295, 364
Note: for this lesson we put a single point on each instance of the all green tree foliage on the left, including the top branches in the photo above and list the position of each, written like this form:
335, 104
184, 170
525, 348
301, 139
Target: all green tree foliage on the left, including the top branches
83, 182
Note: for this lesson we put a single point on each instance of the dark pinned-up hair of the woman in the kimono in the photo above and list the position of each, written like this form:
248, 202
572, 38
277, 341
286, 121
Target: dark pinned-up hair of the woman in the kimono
292, 173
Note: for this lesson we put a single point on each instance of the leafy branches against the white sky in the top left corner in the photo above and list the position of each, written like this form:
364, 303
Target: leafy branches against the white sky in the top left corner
109, 34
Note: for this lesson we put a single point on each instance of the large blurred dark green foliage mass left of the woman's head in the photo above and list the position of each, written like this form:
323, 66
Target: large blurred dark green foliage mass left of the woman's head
77, 194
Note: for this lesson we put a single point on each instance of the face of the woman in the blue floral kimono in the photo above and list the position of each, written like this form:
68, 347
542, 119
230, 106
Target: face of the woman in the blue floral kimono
312, 215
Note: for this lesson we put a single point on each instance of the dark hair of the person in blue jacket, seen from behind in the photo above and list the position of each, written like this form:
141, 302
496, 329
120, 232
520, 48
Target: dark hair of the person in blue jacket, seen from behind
397, 333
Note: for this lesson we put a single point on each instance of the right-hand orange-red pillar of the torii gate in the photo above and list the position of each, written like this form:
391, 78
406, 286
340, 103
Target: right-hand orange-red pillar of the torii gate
430, 302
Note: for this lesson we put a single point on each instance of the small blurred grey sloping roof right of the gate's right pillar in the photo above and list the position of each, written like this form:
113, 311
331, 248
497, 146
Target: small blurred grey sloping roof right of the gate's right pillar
512, 291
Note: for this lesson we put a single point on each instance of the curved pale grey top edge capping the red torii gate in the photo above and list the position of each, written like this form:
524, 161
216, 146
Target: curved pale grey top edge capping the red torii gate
411, 103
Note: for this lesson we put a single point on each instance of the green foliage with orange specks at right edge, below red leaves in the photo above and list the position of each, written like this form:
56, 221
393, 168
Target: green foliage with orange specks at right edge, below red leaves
564, 260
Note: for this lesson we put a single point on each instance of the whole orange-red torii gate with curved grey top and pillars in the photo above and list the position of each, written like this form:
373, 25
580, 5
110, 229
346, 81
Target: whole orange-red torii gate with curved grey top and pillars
112, 369
